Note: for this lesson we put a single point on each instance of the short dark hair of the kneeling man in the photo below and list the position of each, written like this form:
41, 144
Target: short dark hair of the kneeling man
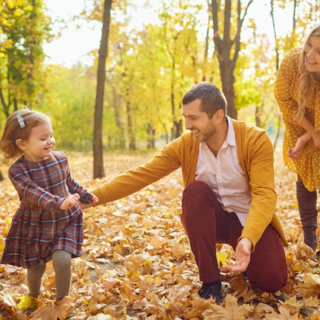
212, 98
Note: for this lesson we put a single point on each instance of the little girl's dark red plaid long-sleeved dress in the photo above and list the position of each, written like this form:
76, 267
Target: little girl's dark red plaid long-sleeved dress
39, 227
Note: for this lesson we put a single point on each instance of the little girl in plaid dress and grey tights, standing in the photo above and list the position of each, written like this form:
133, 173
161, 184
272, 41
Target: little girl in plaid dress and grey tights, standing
49, 222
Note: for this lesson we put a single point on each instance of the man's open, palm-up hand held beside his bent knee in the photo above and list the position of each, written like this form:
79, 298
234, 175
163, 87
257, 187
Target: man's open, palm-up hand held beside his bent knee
243, 251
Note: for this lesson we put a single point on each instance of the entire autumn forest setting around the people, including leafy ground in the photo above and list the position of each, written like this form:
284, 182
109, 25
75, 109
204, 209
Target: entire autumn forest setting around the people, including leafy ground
125, 93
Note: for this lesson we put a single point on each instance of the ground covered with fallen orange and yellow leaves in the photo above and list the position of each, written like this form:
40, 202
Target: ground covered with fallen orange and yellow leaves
137, 261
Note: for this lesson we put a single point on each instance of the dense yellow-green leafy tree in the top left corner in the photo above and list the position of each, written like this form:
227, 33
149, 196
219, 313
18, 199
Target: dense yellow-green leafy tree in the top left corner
24, 28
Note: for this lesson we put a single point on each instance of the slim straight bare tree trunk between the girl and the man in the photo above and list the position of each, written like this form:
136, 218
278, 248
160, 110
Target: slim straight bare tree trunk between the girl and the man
98, 170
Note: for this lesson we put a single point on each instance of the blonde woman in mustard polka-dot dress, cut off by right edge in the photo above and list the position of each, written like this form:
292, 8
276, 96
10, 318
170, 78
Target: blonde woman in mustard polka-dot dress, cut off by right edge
297, 90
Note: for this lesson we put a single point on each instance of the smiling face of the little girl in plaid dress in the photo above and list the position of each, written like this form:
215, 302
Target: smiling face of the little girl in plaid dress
40, 143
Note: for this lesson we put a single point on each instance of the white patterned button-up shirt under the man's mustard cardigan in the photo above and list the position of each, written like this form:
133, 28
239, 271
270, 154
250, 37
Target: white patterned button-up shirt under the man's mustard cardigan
225, 176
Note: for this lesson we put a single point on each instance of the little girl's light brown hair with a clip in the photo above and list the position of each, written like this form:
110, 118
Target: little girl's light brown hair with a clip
13, 131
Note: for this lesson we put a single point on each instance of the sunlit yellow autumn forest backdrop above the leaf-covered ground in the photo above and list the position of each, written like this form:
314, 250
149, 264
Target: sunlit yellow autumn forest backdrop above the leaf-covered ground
150, 63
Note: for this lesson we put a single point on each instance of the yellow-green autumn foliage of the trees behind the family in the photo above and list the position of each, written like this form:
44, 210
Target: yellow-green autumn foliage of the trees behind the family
148, 70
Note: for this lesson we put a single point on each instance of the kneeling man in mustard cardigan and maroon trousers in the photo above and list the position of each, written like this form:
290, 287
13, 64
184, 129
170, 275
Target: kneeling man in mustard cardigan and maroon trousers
229, 195
